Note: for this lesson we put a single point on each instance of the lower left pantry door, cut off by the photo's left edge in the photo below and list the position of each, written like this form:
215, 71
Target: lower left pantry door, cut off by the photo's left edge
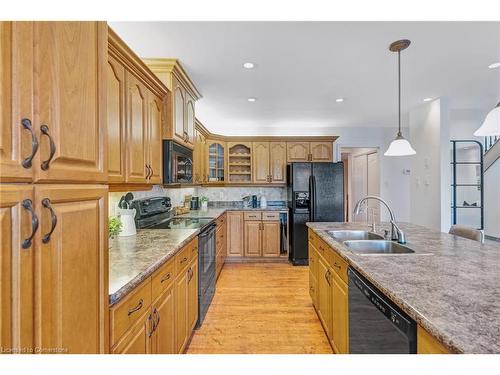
16, 267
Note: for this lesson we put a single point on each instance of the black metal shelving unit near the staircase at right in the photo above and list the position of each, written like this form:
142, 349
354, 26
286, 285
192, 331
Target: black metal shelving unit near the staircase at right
455, 185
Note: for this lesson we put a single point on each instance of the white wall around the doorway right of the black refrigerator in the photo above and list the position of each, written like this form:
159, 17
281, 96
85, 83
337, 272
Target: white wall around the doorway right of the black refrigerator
394, 183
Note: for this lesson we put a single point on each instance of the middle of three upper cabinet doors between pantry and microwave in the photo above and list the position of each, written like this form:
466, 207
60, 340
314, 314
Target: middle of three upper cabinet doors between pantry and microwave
136, 131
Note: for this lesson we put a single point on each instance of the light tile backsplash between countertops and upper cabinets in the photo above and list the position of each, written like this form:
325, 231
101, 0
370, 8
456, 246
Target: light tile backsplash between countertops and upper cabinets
224, 194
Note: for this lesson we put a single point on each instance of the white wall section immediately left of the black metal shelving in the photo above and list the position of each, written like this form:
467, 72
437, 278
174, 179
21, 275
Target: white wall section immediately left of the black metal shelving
430, 167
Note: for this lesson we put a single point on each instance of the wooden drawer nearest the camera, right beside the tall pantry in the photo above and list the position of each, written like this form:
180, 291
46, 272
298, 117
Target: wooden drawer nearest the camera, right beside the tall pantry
130, 310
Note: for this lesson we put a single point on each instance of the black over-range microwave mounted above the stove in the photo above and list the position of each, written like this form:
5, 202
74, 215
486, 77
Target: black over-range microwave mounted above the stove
177, 163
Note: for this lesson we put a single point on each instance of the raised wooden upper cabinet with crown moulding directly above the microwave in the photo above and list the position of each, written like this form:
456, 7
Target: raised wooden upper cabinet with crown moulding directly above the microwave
180, 115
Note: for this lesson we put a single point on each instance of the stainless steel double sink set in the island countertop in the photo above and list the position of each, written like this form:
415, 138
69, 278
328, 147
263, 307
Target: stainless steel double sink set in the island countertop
368, 243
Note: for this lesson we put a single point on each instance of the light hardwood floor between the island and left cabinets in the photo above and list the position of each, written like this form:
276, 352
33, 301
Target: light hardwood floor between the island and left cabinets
261, 309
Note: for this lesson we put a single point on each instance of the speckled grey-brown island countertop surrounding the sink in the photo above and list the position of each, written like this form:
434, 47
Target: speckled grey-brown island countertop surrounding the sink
451, 286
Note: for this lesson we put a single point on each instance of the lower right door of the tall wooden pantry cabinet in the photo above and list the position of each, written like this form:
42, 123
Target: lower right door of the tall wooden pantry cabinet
71, 264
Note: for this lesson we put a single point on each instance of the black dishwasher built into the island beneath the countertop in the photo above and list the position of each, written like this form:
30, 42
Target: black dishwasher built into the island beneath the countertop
376, 325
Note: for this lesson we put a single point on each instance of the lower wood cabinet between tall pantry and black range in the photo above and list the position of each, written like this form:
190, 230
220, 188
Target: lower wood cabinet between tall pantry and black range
160, 314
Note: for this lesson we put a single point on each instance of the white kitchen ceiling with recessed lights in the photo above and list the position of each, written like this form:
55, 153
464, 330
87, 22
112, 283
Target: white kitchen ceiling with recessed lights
302, 67
